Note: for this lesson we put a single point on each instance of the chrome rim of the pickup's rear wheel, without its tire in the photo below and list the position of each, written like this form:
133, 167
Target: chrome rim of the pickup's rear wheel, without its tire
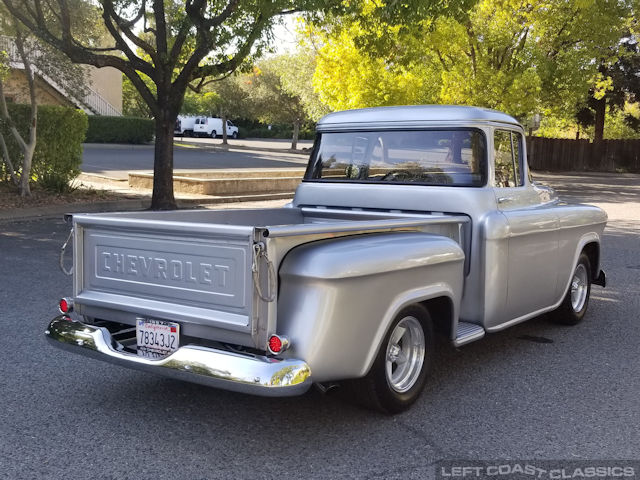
405, 354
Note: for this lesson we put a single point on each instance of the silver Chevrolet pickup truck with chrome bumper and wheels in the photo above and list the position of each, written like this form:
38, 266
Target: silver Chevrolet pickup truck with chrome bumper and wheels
409, 221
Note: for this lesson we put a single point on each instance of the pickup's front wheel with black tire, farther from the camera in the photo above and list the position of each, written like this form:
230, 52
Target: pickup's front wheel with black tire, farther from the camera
574, 306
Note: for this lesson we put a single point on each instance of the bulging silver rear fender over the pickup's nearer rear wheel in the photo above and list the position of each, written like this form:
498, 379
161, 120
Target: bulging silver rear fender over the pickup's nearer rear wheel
339, 297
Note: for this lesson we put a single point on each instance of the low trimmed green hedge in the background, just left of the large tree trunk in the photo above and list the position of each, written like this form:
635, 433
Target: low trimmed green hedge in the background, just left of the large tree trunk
104, 129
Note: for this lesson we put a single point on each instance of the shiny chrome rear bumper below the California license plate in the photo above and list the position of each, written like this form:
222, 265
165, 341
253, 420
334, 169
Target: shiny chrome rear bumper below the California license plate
253, 374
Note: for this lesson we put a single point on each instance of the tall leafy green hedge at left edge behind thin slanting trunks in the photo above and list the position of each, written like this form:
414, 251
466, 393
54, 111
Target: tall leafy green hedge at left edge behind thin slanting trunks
59, 136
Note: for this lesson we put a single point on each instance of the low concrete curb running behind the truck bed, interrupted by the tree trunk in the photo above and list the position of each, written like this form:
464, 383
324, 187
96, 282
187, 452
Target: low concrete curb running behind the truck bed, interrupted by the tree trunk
39, 213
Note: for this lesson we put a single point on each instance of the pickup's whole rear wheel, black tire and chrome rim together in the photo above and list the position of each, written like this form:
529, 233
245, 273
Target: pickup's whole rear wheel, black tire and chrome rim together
399, 372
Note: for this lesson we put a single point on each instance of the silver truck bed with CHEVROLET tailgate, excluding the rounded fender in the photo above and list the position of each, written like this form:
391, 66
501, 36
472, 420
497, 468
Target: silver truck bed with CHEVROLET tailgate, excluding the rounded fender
215, 272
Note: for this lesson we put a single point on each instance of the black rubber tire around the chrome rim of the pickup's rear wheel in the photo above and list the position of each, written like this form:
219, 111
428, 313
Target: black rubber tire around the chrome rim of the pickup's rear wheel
376, 390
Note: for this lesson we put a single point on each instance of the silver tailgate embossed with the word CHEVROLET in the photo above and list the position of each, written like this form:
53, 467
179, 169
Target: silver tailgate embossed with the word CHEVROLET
187, 272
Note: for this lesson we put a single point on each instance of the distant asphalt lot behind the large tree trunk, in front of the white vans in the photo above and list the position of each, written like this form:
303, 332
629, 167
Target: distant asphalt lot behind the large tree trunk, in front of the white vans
117, 160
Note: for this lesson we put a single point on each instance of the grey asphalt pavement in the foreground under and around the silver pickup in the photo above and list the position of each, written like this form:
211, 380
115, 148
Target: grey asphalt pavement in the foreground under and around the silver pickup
535, 391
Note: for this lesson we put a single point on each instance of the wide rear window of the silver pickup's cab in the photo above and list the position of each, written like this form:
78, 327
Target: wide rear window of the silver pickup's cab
455, 157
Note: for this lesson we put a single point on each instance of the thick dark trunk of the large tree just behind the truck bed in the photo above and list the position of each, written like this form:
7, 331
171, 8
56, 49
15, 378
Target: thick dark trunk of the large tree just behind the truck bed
163, 198
